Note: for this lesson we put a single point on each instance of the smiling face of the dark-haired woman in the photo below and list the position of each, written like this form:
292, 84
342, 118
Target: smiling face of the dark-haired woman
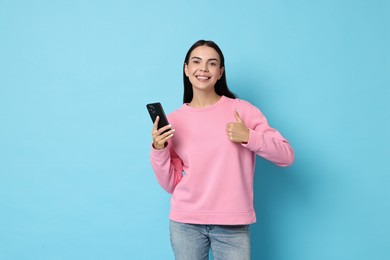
203, 68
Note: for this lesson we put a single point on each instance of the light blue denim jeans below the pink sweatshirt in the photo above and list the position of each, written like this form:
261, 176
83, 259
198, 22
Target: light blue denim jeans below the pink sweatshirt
193, 242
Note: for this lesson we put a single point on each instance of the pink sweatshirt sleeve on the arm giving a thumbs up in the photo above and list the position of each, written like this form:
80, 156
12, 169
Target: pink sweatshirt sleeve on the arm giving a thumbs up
266, 141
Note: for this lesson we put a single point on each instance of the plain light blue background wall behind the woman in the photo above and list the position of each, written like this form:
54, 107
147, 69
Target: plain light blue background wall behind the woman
75, 178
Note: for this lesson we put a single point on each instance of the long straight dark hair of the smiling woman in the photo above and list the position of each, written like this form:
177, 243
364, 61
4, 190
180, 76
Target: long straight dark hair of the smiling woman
221, 87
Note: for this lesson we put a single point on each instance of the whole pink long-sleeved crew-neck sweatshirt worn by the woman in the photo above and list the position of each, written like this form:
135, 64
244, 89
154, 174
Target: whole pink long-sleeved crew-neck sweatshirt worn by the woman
209, 176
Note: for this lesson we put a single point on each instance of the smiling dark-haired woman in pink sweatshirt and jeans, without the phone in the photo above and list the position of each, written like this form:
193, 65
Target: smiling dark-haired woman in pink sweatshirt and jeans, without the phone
206, 160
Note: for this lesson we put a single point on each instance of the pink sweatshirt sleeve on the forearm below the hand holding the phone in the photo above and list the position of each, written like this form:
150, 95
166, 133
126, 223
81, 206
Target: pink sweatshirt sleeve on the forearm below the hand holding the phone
167, 167
